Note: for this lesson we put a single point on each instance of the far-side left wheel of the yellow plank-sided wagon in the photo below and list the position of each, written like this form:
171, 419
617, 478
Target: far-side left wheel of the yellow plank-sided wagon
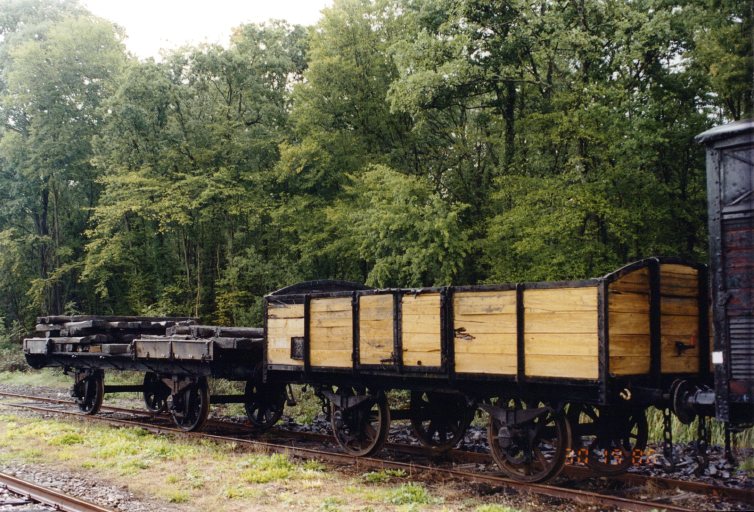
439, 419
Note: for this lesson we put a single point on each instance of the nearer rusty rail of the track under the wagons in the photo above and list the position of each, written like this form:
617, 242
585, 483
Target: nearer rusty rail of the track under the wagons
574, 495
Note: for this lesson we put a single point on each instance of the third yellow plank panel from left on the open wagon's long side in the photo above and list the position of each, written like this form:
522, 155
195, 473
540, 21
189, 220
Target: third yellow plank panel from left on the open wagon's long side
376, 329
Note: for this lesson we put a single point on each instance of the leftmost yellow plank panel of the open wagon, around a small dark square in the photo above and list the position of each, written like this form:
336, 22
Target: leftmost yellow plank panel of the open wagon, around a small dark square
284, 321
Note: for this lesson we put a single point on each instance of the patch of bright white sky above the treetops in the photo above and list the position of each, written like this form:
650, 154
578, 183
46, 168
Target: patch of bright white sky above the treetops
152, 25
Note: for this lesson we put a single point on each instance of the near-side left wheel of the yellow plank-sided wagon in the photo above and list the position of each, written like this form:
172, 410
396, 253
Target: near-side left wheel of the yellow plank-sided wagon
361, 430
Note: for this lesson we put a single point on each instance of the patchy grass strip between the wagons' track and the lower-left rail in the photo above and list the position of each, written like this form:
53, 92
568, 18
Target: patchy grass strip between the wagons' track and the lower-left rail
205, 475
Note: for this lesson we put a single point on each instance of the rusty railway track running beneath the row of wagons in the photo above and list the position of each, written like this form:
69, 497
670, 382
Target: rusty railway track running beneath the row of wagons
285, 442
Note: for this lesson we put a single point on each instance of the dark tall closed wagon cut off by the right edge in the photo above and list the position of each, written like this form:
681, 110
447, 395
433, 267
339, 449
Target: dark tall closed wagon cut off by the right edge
730, 193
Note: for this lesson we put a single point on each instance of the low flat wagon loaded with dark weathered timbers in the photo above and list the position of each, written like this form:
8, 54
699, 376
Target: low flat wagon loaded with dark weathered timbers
176, 356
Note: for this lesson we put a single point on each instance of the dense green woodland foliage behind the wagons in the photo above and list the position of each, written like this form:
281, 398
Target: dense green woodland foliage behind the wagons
397, 143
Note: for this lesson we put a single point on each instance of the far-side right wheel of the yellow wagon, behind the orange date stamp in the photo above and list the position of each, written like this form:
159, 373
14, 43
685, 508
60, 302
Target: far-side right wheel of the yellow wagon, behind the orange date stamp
610, 436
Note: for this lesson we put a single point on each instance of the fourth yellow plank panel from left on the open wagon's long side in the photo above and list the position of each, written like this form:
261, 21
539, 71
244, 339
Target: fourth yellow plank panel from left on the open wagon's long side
421, 329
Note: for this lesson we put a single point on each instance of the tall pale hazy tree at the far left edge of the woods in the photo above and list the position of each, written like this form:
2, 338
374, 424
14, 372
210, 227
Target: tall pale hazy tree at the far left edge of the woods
58, 68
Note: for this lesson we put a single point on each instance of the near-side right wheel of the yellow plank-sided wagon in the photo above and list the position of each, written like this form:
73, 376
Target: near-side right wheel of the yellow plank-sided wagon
532, 451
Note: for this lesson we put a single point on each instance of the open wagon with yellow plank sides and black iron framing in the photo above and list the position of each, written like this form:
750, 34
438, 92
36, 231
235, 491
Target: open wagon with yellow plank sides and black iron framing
551, 363
